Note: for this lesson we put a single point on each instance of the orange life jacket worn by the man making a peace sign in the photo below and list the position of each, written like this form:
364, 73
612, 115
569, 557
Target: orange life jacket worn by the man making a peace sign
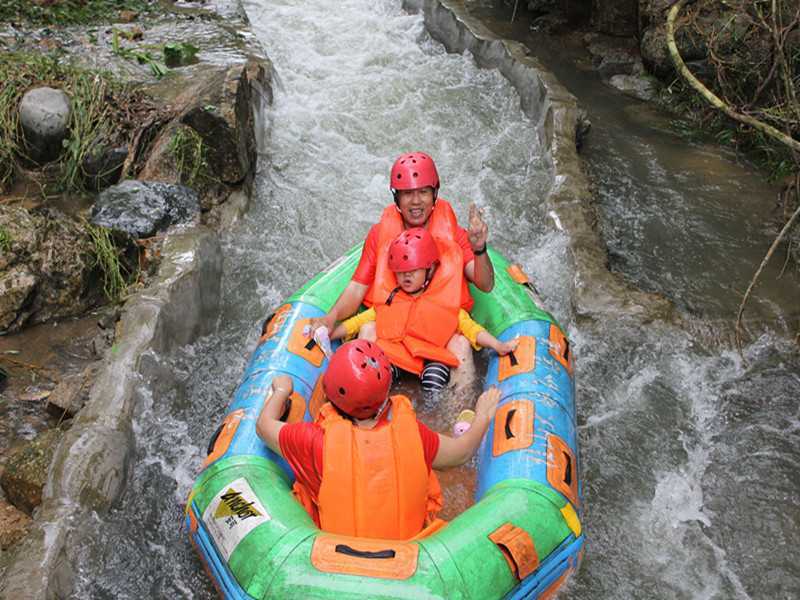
442, 224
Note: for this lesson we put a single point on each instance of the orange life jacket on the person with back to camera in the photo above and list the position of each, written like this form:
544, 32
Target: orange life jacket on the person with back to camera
375, 482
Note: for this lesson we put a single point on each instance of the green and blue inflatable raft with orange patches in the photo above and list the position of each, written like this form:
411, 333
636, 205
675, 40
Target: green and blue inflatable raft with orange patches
521, 539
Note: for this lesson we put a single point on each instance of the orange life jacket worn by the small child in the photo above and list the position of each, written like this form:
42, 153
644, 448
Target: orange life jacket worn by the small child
414, 328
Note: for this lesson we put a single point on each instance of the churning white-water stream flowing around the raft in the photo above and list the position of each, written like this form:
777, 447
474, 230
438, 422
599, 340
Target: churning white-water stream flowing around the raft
690, 461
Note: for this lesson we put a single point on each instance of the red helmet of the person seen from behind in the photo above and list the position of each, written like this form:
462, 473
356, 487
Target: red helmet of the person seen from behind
358, 378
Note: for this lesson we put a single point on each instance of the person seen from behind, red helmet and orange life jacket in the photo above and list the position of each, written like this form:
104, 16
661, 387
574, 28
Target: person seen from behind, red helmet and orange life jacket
364, 467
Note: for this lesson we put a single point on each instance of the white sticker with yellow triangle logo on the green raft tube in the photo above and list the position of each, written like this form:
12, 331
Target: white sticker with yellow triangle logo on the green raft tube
233, 513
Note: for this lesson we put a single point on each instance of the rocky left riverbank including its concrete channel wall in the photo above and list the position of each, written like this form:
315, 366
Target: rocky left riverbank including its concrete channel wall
216, 100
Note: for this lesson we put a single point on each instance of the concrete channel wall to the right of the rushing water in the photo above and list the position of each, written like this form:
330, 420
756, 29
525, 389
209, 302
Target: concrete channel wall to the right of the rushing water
596, 292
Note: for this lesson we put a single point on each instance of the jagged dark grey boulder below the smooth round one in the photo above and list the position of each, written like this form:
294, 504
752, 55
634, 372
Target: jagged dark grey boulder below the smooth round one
143, 208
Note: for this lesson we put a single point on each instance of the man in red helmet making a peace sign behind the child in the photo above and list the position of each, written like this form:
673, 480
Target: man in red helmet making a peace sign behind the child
414, 182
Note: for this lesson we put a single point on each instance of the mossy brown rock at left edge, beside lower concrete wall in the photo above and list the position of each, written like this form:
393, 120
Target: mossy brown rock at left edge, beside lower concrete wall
25, 471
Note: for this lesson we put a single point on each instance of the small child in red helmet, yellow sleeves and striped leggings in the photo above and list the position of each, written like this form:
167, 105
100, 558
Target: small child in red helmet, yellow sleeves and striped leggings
416, 320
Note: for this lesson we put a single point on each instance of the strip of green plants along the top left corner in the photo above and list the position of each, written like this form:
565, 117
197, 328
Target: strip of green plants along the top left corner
69, 12
